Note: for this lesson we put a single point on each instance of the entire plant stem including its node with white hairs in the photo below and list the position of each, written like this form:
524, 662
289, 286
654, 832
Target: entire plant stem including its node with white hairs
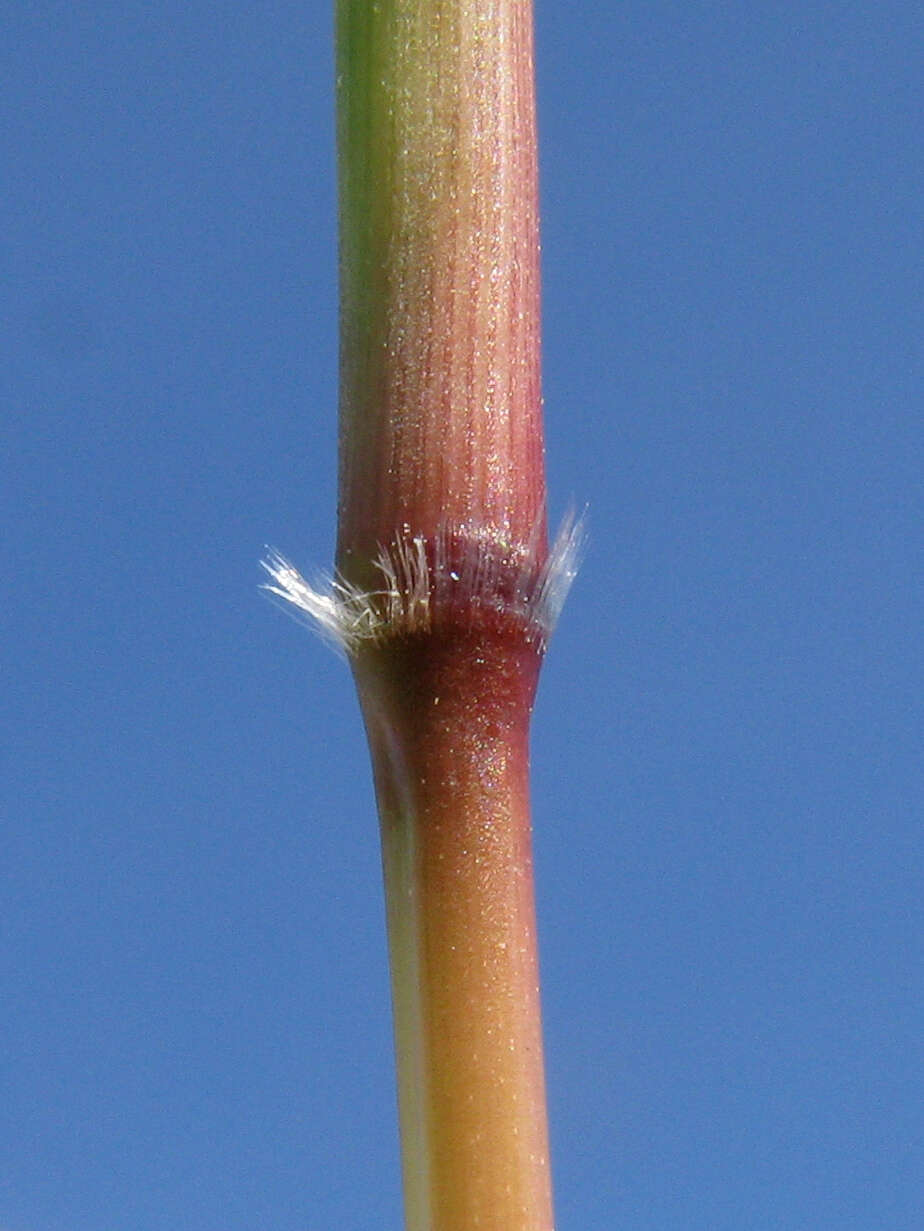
446, 589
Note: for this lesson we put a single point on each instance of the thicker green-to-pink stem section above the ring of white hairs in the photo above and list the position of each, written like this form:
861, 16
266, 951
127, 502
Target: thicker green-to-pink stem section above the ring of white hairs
441, 406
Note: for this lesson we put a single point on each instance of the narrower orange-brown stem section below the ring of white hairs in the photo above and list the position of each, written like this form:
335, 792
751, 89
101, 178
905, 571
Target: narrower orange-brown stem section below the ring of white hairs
448, 727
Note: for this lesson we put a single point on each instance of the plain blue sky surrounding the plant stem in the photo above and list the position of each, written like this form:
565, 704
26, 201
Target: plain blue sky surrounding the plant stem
195, 1026
